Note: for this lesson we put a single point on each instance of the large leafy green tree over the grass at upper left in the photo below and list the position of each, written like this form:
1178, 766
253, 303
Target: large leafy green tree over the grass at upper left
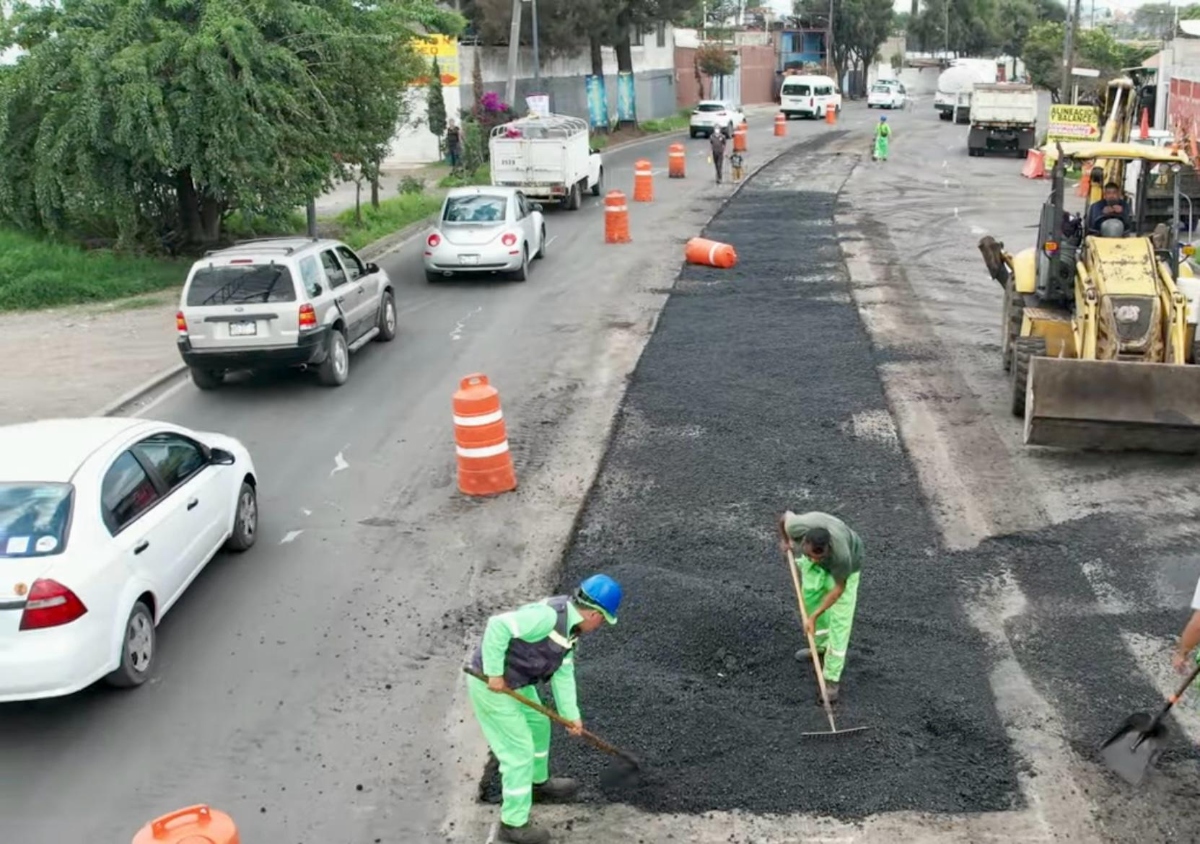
161, 119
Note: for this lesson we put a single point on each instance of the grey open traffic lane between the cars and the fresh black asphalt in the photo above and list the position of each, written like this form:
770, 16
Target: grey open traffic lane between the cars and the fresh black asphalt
308, 687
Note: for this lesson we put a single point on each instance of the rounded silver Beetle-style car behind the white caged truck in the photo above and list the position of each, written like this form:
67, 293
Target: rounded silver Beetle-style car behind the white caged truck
485, 231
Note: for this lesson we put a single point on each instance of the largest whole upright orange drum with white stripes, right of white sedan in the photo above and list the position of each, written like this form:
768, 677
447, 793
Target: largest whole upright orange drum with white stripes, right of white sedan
482, 442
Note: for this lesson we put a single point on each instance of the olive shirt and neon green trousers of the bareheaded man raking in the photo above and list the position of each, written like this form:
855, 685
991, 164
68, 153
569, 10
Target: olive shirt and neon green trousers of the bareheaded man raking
843, 565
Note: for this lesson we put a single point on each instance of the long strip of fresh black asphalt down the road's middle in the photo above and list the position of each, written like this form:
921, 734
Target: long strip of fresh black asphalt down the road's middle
741, 408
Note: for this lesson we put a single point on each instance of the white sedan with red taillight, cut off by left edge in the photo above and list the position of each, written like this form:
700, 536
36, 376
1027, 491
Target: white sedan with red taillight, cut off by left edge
104, 524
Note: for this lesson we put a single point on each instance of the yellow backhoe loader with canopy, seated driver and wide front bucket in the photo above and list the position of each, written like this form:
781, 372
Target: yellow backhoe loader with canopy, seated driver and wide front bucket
1100, 332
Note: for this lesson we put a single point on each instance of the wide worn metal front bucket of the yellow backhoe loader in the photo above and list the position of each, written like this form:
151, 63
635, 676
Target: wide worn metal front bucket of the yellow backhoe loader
1113, 406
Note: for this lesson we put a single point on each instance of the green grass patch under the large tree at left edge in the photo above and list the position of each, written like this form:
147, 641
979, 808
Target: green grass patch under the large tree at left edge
38, 273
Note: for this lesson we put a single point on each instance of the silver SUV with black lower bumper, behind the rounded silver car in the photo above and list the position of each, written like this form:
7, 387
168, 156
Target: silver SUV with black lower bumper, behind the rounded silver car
281, 303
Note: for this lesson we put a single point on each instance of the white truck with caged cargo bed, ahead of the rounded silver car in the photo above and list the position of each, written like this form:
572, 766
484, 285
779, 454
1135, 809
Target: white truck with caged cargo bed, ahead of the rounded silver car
548, 158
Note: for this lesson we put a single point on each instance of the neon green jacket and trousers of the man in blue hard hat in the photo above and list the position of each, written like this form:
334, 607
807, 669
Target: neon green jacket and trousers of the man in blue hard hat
518, 735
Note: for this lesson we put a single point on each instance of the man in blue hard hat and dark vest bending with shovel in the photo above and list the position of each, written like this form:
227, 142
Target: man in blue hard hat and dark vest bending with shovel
535, 644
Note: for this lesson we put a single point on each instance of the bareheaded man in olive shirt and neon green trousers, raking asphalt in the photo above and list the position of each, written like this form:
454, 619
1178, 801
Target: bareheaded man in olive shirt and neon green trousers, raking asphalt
830, 561
